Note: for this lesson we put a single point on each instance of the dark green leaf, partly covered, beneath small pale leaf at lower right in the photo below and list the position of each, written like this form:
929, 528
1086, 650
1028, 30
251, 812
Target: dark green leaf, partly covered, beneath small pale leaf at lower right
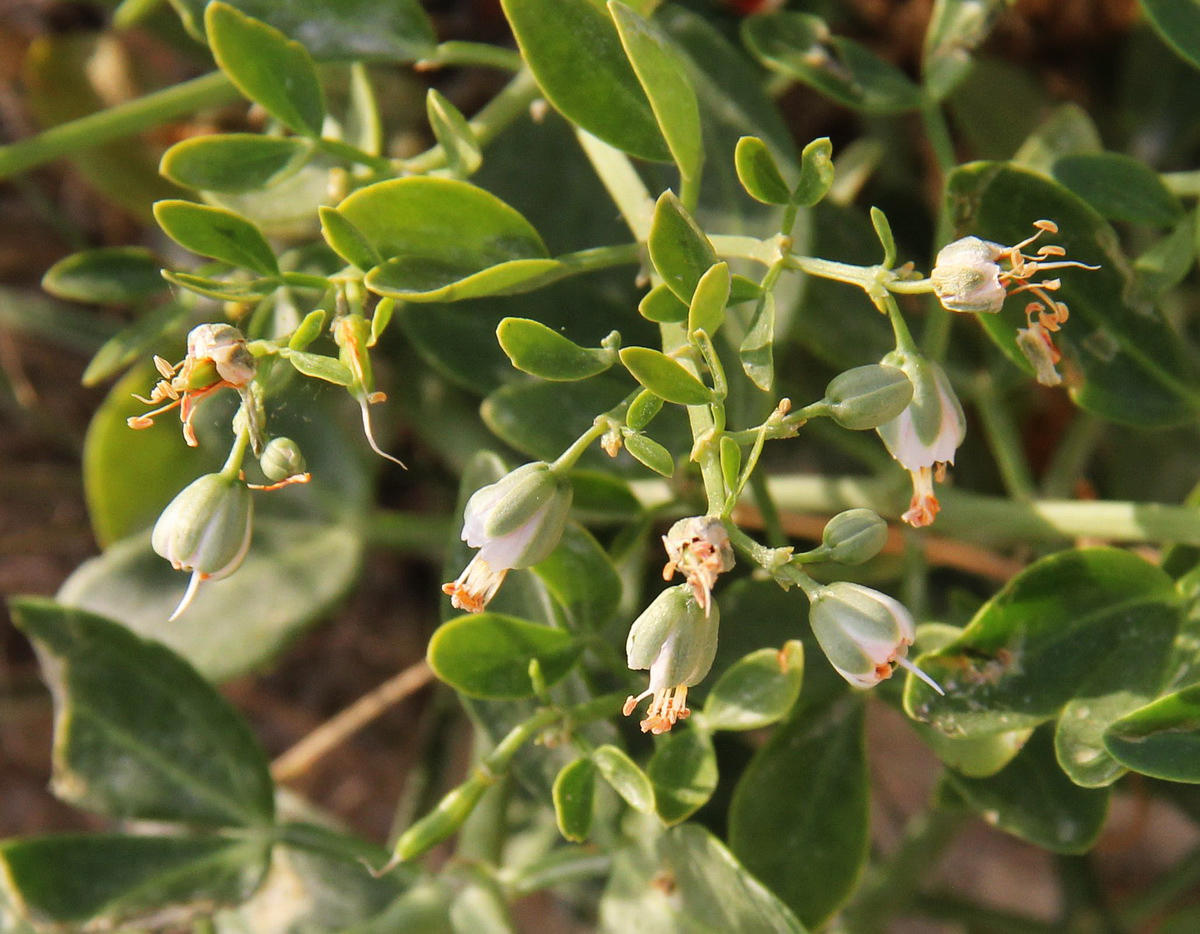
1034, 800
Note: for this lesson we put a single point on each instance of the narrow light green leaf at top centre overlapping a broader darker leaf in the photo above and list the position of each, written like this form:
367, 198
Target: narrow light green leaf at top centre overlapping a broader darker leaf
662, 74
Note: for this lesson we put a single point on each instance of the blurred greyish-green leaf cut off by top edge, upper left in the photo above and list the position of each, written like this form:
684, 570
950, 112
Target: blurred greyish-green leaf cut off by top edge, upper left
371, 31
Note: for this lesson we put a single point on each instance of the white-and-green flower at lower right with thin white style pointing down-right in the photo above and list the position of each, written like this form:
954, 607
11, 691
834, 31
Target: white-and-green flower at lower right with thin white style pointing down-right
865, 634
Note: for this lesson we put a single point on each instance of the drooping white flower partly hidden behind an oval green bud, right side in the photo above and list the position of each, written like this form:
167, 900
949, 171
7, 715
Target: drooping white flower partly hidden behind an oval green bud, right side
923, 438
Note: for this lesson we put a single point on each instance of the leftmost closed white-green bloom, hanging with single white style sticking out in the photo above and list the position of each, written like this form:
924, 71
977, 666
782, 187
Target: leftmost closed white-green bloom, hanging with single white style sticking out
206, 530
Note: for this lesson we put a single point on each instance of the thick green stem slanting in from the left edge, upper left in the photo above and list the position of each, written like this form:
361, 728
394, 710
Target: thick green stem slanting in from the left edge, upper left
123, 121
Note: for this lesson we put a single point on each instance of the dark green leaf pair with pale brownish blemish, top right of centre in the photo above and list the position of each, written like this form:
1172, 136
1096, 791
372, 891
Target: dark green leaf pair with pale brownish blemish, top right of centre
801, 46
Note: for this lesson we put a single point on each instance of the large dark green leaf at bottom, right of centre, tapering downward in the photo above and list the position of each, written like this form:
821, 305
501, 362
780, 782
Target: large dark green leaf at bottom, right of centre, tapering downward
800, 819
